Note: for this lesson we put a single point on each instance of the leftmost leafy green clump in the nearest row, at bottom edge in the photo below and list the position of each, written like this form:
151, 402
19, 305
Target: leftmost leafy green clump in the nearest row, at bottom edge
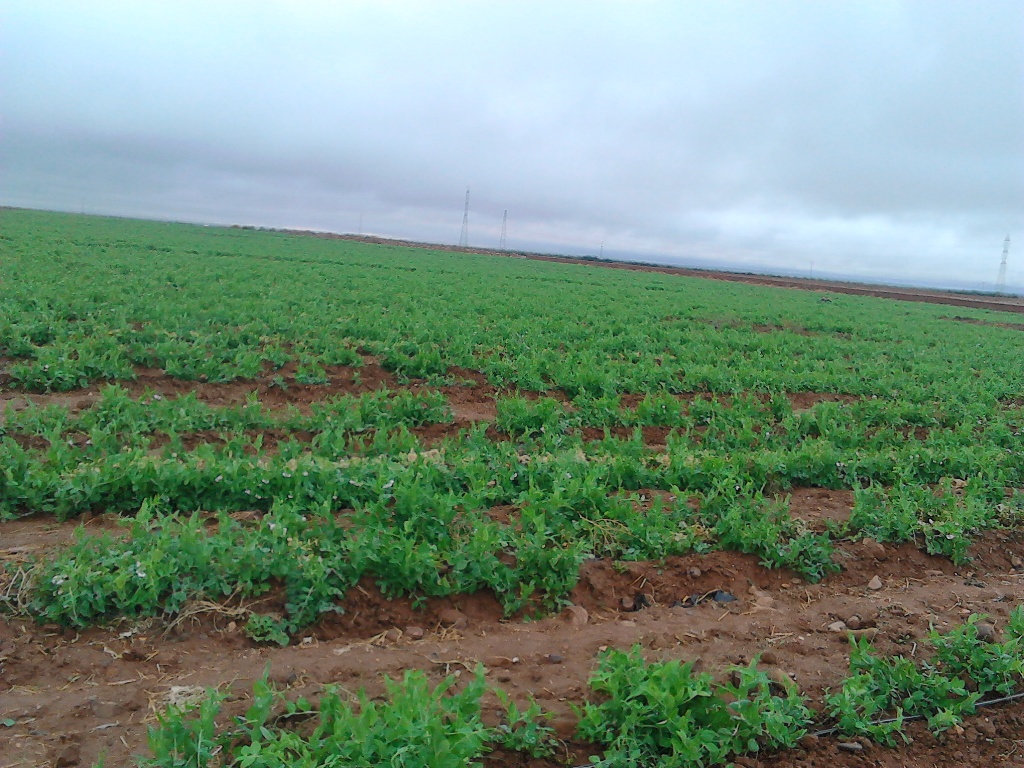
415, 727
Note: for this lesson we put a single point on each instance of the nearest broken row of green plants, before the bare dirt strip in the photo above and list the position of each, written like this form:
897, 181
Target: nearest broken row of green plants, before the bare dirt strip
659, 714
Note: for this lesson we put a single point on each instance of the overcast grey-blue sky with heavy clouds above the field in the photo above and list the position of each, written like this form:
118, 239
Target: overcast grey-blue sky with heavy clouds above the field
880, 140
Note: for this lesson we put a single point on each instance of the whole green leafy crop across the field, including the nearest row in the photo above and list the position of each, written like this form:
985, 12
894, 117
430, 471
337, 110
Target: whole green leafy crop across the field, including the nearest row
293, 416
